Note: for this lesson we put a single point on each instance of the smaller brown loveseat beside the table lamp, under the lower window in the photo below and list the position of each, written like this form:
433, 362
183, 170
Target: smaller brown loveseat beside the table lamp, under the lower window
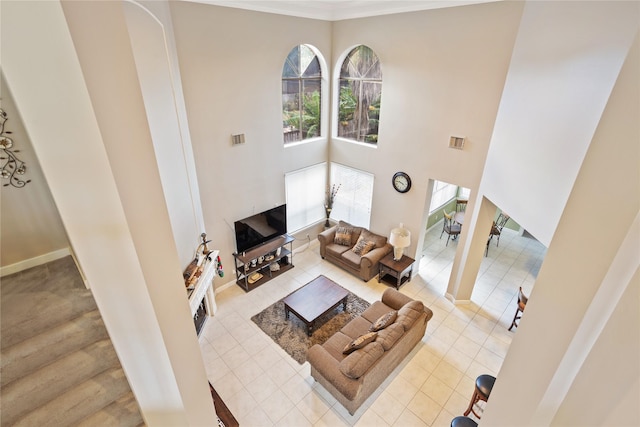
341, 252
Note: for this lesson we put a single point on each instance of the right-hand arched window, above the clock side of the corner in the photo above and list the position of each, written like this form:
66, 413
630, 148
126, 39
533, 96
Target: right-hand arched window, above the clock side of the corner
359, 97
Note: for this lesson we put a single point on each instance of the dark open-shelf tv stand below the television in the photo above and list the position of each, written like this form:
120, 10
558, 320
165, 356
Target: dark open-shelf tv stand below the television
277, 257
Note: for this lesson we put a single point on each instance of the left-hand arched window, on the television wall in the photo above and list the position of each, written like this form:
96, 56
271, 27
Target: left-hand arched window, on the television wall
301, 95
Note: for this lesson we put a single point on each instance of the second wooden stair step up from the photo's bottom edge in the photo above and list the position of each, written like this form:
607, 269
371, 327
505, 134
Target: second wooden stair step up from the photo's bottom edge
78, 403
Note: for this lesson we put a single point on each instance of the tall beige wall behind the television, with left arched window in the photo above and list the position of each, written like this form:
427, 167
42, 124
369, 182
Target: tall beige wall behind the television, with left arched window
231, 63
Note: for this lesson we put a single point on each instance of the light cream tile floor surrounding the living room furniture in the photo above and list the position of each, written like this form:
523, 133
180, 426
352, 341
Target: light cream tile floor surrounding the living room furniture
263, 386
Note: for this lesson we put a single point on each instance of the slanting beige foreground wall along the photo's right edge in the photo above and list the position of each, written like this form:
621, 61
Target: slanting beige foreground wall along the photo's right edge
574, 357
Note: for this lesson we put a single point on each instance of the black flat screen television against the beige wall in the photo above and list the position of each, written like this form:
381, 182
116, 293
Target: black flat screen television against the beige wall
259, 228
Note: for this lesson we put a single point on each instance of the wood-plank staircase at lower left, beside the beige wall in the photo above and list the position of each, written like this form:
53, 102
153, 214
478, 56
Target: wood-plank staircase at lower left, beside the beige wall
58, 366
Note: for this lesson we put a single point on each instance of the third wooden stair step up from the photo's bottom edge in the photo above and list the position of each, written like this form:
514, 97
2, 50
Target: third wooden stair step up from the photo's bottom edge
39, 387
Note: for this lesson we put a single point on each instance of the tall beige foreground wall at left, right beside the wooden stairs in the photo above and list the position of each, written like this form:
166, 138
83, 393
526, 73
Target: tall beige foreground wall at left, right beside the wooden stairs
112, 201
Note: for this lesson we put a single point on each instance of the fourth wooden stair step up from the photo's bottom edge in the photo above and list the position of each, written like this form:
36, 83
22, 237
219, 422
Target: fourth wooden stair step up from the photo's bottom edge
40, 350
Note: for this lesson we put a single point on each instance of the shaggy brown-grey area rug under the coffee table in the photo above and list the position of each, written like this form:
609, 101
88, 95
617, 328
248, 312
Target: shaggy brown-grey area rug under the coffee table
291, 334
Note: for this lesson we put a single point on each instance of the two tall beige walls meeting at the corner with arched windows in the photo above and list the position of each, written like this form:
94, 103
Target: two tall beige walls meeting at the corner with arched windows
437, 82
